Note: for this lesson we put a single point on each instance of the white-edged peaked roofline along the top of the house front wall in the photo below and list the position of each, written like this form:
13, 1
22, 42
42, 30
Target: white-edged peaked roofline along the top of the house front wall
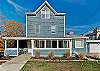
50, 7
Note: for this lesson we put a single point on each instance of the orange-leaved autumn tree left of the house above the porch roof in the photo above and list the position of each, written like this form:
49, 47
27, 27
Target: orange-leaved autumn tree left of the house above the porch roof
12, 29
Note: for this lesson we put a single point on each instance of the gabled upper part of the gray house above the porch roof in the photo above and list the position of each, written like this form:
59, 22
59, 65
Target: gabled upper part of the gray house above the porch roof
45, 22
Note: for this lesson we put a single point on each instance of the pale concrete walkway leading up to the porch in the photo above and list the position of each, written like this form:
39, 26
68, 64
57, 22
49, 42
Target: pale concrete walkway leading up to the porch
16, 63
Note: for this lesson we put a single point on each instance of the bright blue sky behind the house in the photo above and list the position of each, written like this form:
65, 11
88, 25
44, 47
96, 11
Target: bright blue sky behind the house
81, 15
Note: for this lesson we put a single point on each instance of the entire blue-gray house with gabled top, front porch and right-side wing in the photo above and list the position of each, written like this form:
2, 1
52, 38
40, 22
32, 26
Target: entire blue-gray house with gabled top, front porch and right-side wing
45, 31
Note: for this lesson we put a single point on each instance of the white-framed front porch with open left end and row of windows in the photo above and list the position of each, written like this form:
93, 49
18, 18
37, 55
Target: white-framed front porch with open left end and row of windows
58, 45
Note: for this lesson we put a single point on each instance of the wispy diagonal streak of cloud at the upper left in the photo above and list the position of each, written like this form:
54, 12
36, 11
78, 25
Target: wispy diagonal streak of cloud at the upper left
19, 9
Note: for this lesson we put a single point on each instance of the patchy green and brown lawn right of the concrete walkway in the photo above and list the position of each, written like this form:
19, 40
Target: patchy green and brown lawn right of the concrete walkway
62, 66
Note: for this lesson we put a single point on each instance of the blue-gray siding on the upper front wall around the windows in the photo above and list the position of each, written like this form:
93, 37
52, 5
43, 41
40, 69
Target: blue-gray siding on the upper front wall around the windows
45, 24
